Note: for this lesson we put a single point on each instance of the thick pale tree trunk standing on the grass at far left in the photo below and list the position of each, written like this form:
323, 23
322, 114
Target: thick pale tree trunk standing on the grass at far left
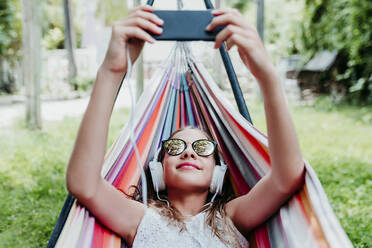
31, 61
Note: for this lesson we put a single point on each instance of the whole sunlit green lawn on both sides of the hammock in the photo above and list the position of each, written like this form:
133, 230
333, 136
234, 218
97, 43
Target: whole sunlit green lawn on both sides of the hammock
336, 140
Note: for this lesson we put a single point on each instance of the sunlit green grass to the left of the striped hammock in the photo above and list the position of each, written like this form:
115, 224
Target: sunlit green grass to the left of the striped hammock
32, 178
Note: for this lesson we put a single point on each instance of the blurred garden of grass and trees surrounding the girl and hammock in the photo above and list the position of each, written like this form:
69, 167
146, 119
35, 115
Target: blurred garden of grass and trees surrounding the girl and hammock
50, 51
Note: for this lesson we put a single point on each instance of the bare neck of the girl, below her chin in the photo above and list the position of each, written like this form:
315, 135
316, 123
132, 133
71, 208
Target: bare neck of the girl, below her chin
188, 203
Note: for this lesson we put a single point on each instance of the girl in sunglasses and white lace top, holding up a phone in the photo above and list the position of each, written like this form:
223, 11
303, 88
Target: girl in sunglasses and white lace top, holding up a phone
187, 170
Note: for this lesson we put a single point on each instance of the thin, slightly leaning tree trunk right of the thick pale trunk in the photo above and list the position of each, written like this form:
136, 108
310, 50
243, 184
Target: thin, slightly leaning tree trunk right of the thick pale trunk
70, 43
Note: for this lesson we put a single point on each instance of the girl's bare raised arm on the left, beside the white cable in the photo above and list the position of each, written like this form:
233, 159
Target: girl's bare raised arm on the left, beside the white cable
83, 177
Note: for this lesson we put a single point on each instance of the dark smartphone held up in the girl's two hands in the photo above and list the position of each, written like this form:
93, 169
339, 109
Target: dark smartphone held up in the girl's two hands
186, 25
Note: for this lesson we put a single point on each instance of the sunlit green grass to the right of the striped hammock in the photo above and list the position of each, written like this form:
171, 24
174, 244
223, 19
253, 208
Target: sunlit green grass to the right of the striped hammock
337, 141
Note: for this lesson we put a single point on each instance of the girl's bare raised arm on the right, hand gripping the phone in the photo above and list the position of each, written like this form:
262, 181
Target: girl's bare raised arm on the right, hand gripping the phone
286, 175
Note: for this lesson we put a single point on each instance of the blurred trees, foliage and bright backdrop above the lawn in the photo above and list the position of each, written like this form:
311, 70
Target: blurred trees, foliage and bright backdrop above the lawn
51, 49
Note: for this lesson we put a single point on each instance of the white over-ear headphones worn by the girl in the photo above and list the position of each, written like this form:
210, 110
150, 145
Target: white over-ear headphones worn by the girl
157, 176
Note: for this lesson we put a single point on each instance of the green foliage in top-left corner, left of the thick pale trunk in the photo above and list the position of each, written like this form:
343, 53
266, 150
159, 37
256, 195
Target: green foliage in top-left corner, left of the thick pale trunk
10, 29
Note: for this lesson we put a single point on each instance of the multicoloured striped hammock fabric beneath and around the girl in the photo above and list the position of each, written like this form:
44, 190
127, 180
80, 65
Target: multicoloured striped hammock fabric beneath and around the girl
182, 93
